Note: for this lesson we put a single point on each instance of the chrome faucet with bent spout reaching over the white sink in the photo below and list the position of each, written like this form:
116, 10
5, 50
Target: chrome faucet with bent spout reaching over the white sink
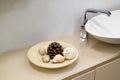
83, 32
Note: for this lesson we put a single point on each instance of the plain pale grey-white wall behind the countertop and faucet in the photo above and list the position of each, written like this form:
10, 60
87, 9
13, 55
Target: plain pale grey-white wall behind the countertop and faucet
26, 22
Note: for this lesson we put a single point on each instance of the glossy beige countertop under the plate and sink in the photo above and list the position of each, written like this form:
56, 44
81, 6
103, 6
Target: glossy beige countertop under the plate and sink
14, 65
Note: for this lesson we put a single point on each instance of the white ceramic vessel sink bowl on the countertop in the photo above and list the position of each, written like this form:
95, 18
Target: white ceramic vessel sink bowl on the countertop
105, 28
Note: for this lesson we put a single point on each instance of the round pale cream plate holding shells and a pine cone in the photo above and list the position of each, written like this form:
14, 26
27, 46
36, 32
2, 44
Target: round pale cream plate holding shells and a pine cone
35, 58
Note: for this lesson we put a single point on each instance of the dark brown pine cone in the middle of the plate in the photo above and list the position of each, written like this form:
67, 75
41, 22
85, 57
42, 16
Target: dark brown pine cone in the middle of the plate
54, 49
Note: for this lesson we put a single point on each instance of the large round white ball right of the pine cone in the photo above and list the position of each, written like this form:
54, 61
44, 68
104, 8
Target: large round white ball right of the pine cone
69, 53
